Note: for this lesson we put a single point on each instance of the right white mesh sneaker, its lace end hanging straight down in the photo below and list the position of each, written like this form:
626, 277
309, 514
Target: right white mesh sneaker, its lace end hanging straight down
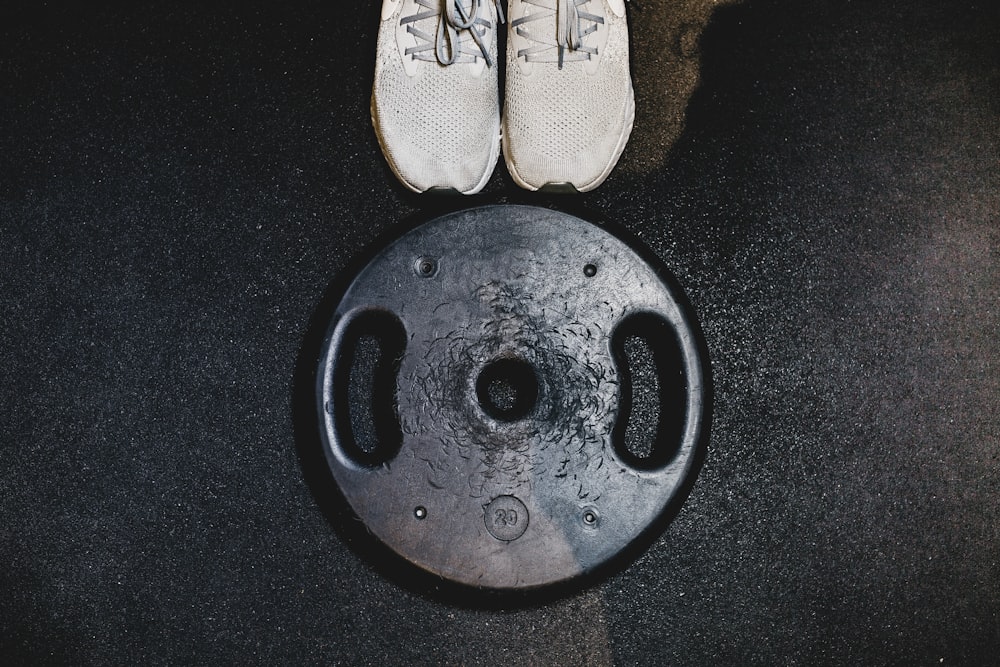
569, 104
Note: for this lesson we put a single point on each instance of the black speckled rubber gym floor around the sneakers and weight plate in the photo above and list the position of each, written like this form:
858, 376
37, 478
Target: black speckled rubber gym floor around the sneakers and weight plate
180, 187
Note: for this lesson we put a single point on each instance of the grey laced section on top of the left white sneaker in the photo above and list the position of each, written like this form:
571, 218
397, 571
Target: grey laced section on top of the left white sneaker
446, 44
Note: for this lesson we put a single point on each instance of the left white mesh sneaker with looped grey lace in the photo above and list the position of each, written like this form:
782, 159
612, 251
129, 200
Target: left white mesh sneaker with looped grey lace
435, 103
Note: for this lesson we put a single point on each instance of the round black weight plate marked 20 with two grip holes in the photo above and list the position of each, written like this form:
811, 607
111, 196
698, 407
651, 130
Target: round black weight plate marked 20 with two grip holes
497, 449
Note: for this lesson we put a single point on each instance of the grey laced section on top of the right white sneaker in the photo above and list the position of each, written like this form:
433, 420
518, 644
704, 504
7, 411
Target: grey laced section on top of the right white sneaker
566, 42
